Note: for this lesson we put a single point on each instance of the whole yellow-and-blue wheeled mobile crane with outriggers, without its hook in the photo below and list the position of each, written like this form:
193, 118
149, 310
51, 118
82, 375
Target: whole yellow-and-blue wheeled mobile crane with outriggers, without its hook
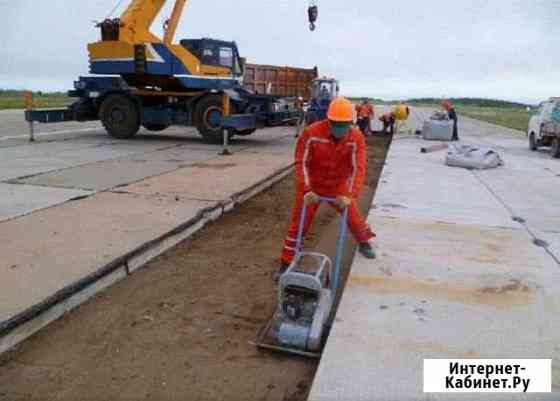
138, 79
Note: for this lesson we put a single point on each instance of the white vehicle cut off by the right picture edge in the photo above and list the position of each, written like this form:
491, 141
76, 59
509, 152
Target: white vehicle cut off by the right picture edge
544, 127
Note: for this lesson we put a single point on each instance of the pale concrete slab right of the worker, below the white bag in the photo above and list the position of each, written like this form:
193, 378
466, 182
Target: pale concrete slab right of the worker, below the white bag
410, 190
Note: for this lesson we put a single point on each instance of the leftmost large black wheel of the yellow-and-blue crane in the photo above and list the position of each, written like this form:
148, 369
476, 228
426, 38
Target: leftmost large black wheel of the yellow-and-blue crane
120, 116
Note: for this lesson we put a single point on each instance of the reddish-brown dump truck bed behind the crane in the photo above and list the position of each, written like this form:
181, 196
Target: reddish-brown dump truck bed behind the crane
279, 81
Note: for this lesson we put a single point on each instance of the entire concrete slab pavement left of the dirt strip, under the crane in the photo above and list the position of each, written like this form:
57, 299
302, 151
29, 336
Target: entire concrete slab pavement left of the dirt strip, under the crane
125, 194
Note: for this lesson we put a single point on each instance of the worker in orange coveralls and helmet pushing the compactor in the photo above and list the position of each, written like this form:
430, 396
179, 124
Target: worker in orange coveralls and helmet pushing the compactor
330, 162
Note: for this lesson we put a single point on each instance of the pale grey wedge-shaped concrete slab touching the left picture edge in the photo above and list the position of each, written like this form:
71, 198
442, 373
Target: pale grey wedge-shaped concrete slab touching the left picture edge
16, 200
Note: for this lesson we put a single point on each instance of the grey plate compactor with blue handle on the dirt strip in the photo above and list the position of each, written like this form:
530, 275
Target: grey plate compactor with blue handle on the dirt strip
306, 298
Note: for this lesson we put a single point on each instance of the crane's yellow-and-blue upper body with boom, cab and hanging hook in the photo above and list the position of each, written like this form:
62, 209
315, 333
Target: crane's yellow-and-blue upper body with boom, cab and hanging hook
128, 48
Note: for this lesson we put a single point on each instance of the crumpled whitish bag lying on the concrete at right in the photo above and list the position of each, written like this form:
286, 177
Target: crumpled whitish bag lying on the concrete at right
472, 157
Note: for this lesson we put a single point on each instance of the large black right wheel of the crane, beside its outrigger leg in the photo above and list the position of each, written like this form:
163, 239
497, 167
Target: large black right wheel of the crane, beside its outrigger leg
206, 114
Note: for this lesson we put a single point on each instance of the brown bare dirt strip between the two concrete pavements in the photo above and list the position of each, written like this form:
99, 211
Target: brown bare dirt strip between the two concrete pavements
180, 329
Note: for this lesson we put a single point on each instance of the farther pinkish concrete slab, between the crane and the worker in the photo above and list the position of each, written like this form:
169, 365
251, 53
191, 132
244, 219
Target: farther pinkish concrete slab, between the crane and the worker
215, 179
